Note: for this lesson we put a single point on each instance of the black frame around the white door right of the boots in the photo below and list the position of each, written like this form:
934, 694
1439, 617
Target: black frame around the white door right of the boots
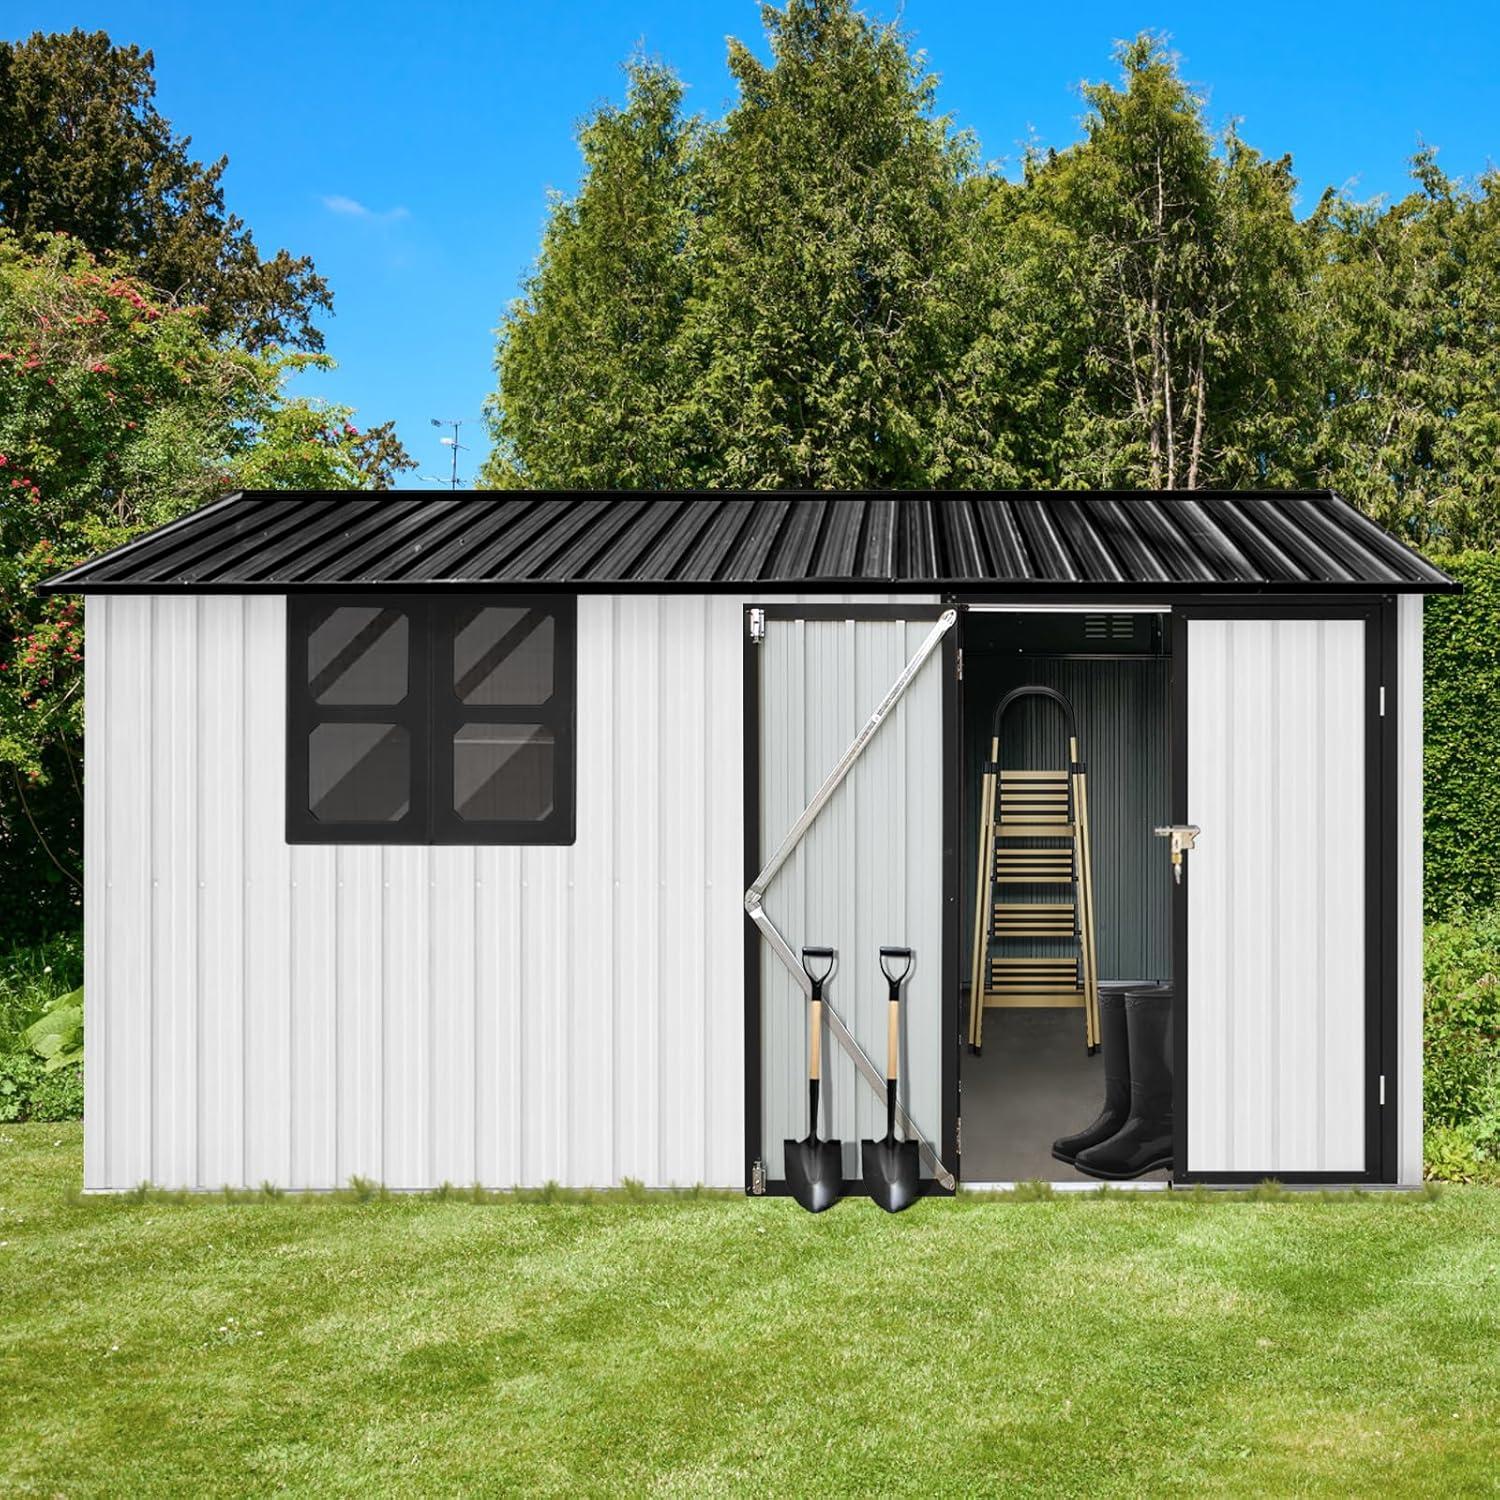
1379, 616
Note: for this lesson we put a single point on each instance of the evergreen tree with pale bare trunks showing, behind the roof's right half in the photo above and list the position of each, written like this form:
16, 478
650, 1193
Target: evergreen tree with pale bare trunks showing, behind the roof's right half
1181, 286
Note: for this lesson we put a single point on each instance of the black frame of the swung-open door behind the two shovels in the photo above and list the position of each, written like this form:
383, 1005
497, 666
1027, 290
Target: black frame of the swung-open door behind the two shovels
757, 1183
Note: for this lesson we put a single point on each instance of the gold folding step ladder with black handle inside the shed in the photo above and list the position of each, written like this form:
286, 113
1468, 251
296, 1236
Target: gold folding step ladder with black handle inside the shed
1034, 841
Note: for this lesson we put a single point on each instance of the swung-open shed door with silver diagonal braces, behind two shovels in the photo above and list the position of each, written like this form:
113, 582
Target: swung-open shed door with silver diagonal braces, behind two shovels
850, 781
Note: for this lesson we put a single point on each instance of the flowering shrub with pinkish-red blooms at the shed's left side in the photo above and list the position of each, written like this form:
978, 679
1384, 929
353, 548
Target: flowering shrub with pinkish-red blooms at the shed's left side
118, 413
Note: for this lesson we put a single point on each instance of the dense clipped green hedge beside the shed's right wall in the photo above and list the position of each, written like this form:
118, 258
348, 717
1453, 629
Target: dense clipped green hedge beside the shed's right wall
1462, 776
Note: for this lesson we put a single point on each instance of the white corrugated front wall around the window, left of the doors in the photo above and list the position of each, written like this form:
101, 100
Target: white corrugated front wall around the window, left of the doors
410, 1016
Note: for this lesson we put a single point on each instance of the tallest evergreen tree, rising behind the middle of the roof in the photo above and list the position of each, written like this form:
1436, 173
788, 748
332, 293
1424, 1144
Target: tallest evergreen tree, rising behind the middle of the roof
827, 278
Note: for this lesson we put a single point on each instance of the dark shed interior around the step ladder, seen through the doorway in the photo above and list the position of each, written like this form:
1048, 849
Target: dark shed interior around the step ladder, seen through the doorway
1034, 1079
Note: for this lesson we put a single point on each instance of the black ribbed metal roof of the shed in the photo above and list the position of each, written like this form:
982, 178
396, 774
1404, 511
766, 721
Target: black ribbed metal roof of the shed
280, 542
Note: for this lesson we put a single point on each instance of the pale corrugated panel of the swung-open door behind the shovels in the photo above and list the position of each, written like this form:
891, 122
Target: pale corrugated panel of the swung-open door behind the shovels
868, 872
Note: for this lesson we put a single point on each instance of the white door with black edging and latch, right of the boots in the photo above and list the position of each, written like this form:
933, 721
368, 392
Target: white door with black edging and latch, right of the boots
1279, 937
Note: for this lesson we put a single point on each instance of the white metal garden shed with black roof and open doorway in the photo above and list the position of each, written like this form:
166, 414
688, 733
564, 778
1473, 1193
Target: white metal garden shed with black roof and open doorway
472, 839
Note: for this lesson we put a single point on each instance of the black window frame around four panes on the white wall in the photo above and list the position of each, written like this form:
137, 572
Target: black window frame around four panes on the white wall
431, 713
